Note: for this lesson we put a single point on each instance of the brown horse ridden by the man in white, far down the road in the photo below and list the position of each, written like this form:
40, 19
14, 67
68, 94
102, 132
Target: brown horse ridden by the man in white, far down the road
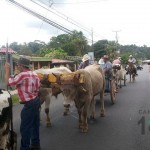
131, 71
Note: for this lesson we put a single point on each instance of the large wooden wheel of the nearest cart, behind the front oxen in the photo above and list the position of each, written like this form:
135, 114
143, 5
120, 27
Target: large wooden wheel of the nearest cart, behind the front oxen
113, 91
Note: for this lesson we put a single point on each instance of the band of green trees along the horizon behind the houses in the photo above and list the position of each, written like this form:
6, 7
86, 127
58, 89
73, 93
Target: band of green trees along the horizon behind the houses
76, 45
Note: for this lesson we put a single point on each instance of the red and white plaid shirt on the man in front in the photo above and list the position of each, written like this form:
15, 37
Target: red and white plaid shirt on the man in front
27, 84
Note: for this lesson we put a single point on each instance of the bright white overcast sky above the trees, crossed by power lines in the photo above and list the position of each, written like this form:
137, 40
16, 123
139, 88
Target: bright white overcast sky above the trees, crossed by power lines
131, 18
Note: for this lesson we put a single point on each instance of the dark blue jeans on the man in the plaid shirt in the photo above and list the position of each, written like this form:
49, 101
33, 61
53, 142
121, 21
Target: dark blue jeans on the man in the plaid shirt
30, 122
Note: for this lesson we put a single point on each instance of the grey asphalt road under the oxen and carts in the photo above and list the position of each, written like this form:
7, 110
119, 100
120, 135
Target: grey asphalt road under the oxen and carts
125, 127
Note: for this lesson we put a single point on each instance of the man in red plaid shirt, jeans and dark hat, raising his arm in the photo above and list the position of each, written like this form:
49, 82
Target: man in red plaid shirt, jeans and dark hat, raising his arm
27, 84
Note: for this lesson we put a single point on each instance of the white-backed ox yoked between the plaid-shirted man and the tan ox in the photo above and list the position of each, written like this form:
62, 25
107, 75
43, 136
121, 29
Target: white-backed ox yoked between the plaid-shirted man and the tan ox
48, 90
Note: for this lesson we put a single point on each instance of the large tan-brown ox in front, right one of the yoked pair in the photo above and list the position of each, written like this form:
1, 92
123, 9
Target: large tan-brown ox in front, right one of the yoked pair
82, 86
